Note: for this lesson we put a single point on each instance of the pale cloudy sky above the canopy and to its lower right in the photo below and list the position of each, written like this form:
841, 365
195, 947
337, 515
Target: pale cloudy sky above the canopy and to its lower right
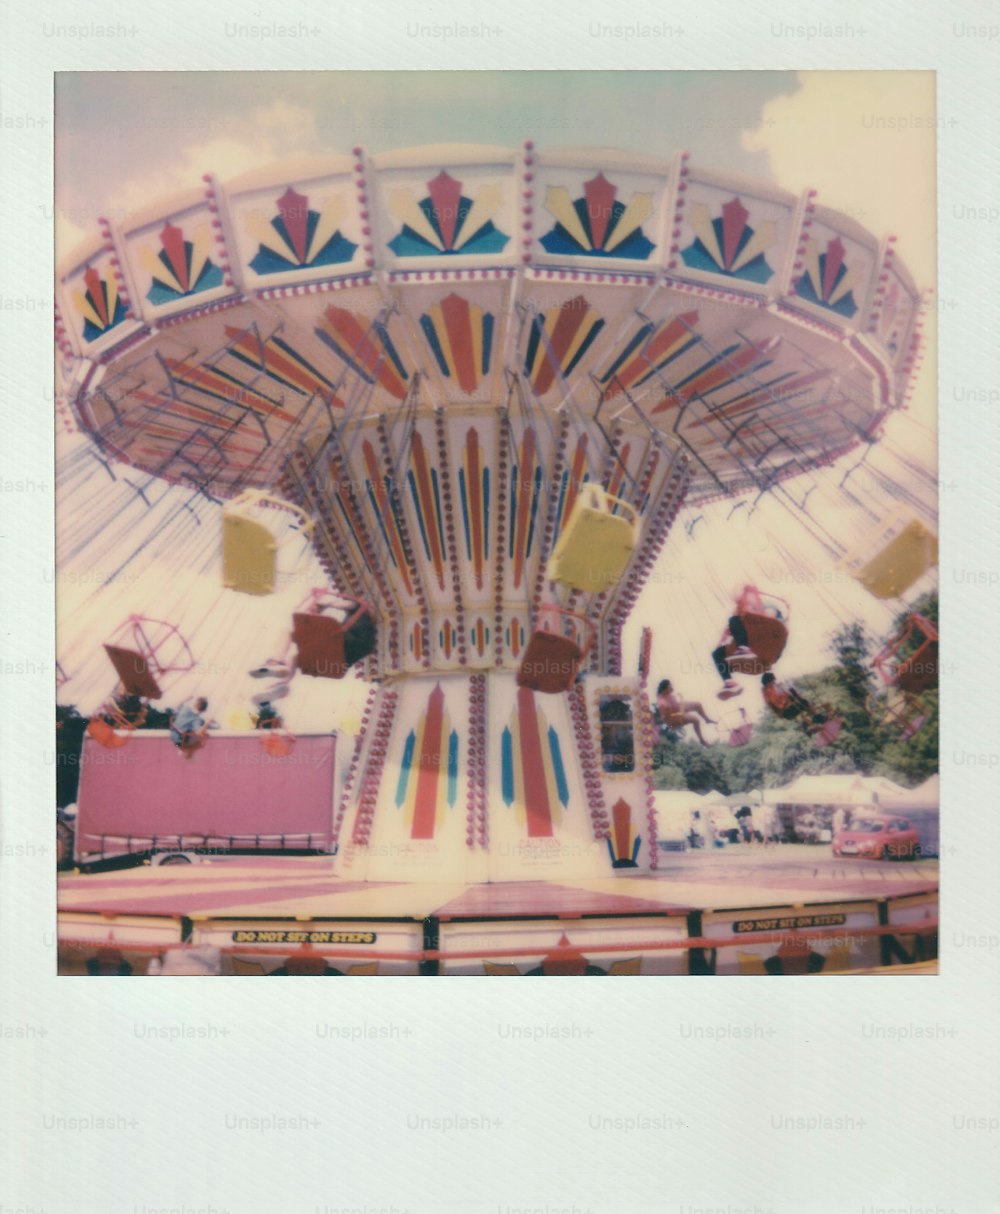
865, 141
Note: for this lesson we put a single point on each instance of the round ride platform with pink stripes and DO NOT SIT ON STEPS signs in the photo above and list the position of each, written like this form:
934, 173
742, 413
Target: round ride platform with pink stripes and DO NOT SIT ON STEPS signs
282, 916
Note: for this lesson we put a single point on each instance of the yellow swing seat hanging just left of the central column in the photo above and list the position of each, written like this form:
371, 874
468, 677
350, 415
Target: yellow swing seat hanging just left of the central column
253, 525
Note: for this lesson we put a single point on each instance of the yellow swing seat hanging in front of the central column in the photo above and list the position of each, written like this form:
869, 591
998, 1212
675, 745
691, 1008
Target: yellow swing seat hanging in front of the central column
598, 542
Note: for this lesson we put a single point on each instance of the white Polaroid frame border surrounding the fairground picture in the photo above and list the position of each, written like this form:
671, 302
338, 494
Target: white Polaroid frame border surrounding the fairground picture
414, 1097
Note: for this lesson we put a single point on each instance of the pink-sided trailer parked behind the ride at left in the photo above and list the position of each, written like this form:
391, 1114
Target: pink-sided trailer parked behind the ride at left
146, 799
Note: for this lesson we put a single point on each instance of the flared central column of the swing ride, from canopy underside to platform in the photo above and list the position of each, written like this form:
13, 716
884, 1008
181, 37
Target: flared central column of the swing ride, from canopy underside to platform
502, 554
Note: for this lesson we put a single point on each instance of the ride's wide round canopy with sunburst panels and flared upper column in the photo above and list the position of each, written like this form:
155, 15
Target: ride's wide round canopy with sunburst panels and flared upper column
434, 350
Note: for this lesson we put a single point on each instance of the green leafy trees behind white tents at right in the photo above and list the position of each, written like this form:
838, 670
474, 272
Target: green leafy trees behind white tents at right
781, 751
